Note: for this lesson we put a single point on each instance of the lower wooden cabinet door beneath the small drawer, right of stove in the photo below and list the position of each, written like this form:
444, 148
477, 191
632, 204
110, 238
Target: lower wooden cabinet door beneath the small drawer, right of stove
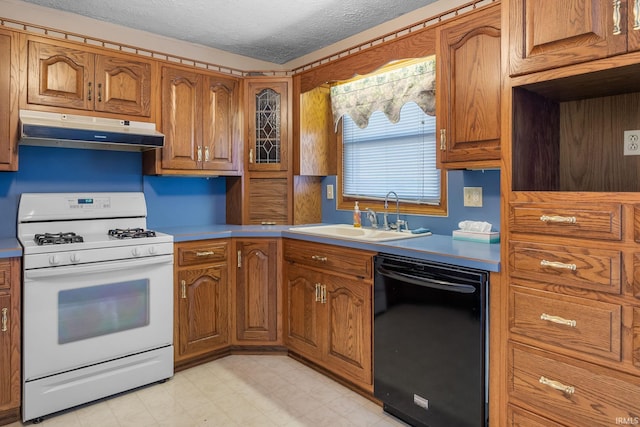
202, 299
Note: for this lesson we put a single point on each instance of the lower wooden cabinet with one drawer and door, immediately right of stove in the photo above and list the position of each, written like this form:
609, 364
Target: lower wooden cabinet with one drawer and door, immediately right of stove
201, 299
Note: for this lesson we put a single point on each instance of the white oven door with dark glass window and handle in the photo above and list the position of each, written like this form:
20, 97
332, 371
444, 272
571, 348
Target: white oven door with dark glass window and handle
85, 314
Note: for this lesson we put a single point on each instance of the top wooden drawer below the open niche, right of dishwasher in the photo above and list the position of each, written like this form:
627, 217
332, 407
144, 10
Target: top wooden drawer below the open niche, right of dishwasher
586, 221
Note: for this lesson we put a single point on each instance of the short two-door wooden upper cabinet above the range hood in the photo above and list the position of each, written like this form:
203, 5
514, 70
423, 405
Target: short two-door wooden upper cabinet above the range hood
70, 78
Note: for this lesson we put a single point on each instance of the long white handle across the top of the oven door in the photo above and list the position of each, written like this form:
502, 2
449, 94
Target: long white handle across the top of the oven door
96, 267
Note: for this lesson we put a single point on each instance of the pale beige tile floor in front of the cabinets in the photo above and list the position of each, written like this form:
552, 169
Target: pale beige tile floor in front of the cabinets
239, 390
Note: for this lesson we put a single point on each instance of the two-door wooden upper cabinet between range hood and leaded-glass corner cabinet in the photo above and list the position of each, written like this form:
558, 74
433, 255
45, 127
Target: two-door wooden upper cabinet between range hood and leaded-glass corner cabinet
199, 120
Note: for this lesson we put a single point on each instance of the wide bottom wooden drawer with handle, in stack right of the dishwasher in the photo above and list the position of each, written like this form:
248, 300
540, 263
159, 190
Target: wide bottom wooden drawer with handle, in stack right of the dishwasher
575, 394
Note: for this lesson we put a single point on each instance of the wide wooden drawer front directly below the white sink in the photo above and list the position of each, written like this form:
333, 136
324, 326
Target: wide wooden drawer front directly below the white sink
343, 260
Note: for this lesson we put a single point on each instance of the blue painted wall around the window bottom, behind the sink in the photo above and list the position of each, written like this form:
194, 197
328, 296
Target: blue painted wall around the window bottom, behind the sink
490, 211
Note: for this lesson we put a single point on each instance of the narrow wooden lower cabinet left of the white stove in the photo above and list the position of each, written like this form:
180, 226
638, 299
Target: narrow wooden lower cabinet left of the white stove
10, 375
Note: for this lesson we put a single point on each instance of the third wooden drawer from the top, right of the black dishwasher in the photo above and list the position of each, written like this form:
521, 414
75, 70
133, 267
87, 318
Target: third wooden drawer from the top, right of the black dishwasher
575, 323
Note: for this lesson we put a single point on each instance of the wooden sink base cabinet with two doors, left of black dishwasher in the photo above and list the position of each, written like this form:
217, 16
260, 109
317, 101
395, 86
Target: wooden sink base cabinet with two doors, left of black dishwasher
328, 314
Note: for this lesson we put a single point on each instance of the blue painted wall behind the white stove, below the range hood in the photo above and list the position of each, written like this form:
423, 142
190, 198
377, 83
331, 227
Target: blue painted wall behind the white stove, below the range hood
171, 201
